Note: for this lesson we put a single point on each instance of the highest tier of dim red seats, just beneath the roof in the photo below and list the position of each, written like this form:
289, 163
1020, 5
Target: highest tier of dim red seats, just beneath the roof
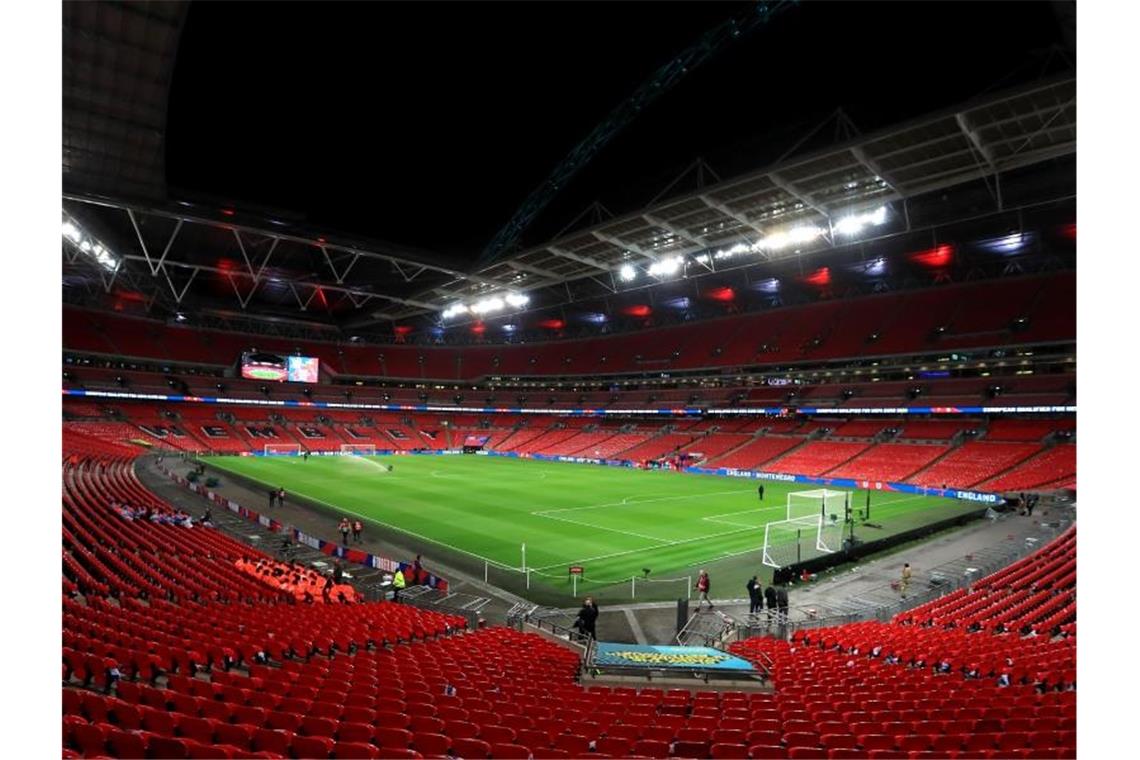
972, 313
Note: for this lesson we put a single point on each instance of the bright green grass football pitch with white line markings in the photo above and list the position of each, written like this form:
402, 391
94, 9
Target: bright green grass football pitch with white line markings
478, 512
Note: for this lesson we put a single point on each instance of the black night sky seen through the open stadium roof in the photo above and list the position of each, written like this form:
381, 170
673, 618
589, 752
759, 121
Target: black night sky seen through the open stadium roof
385, 119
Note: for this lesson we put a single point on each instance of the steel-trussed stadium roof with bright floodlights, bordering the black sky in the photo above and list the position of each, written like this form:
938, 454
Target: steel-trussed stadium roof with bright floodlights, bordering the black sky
218, 260
